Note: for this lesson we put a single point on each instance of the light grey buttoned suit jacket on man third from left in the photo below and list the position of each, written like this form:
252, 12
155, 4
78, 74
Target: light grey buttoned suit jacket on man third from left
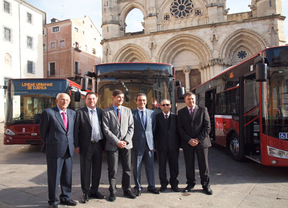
115, 131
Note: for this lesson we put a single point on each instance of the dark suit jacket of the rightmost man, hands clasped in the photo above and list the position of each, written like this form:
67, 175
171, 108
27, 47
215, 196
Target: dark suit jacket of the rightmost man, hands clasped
197, 127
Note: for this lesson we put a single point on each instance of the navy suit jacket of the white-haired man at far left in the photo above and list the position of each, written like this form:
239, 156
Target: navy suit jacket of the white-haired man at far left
53, 134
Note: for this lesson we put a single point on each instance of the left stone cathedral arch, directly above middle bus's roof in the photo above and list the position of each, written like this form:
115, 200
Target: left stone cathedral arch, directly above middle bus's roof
131, 53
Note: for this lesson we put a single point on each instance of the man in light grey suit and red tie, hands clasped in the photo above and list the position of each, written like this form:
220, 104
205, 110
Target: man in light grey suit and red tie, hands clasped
118, 128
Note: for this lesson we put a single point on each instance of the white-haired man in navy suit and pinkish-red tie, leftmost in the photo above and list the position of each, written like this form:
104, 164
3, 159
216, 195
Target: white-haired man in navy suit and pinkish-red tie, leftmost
56, 131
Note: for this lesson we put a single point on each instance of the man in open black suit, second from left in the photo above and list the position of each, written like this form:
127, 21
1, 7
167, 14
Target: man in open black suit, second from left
89, 143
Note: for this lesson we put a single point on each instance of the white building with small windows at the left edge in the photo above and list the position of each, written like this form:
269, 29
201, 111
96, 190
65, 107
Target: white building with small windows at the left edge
21, 43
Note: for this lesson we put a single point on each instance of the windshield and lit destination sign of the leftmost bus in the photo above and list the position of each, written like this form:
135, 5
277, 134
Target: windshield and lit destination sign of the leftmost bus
27, 99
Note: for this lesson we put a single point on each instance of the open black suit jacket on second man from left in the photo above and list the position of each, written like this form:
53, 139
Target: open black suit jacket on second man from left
83, 129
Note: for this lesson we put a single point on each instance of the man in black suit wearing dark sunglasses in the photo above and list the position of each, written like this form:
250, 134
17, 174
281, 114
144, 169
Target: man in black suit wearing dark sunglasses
167, 144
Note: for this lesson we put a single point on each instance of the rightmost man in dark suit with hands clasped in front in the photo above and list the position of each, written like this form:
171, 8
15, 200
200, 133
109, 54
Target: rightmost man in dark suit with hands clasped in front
194, 128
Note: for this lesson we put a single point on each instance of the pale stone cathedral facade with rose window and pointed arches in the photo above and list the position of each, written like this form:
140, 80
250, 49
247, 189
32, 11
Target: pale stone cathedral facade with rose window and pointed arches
198, 37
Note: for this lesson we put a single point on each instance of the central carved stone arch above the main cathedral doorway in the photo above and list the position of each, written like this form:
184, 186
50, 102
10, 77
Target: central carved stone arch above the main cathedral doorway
180, 43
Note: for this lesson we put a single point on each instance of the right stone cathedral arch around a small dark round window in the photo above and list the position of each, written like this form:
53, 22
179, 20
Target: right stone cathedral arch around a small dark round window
243, 39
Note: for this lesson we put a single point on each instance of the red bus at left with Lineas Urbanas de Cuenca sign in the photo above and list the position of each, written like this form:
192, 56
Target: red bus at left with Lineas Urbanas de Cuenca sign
26, 99
